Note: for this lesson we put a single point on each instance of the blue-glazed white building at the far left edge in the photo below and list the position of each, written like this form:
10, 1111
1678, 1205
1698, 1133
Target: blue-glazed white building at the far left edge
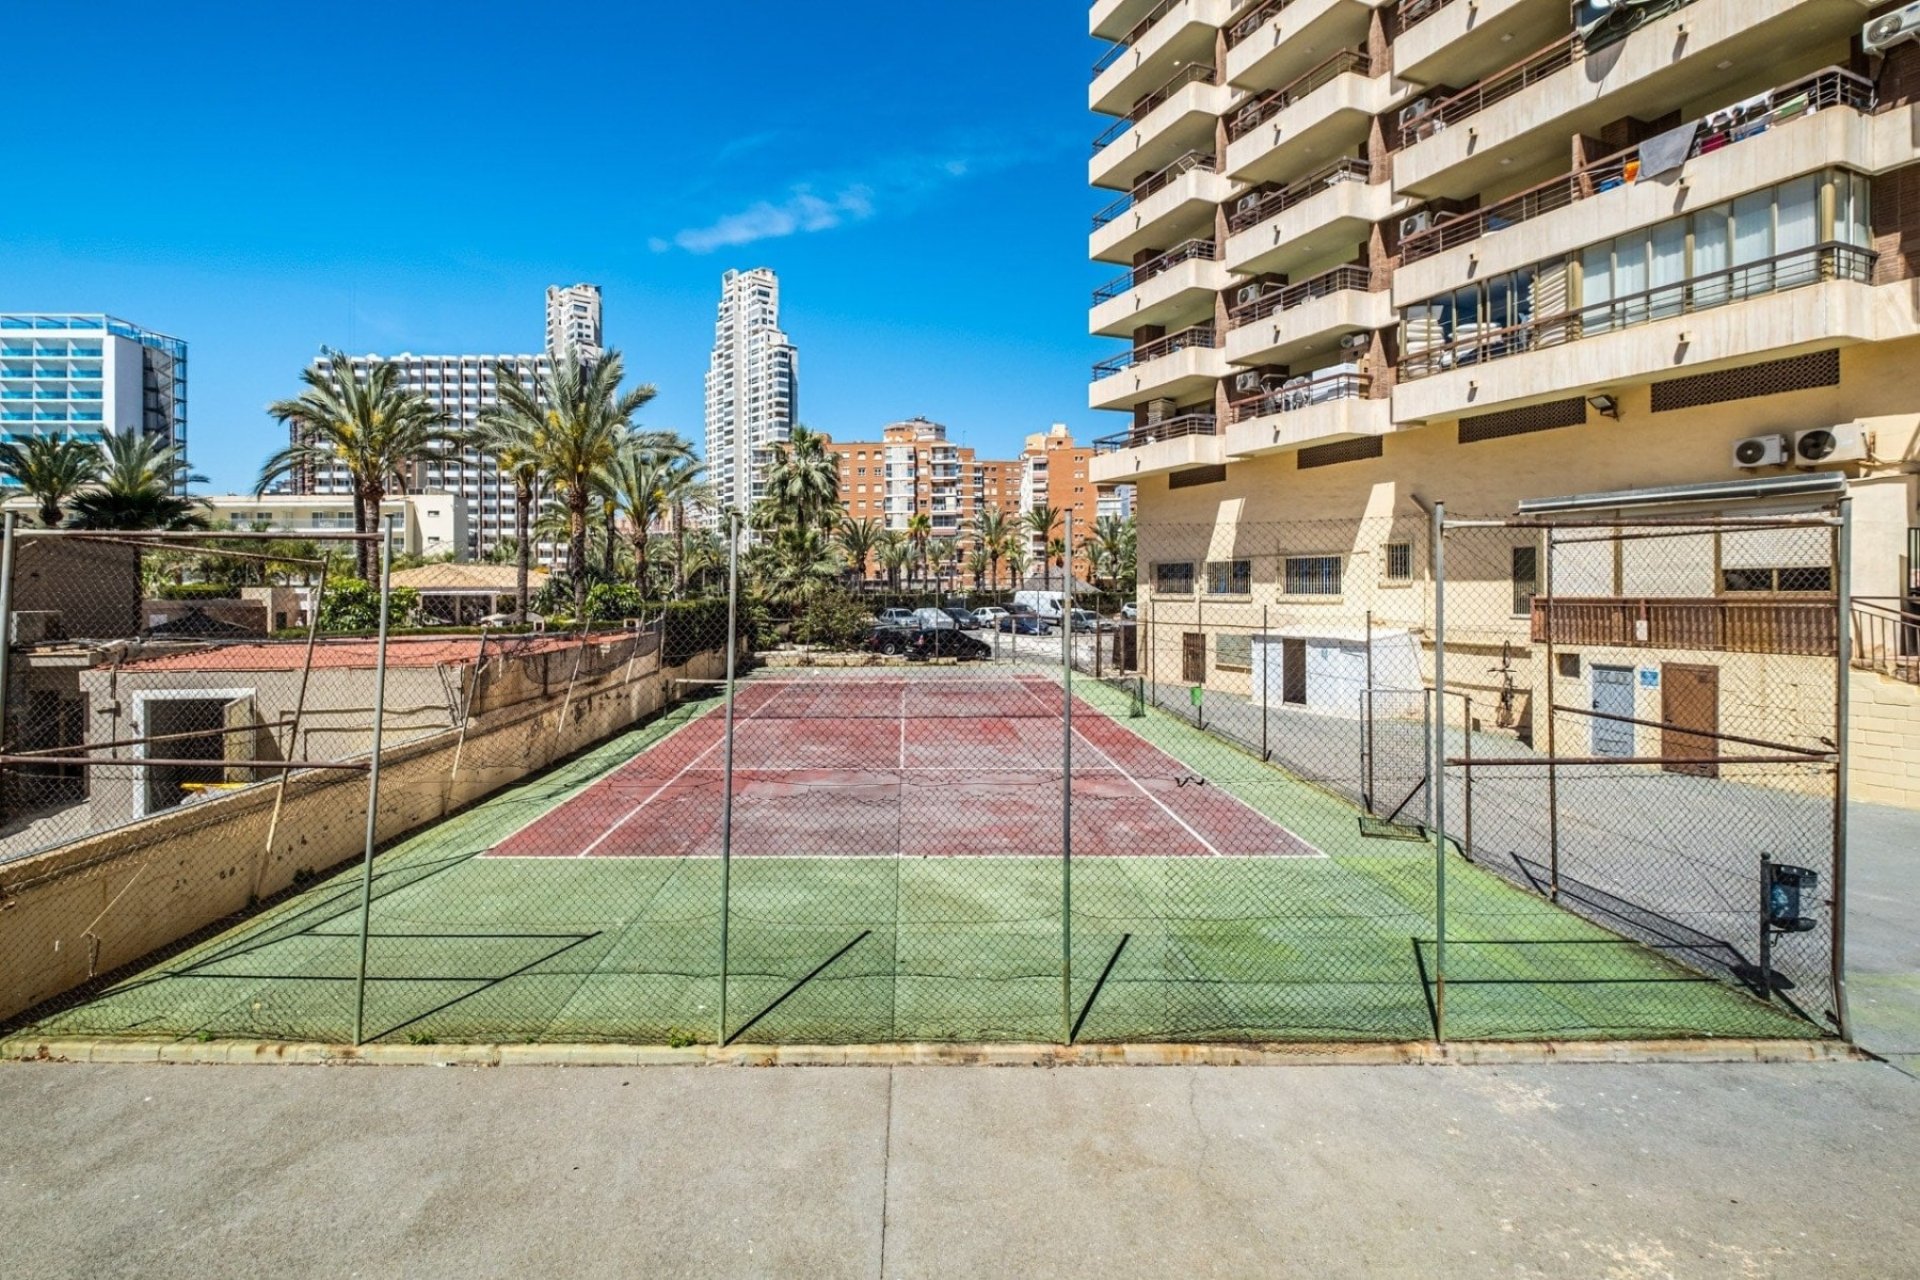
85, 375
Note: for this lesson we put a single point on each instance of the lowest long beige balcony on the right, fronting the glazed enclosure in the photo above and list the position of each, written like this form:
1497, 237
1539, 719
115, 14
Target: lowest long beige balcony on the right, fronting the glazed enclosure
1677, 329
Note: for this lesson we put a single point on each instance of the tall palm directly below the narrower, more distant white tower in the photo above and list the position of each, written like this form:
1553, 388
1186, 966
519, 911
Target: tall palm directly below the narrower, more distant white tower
579, 423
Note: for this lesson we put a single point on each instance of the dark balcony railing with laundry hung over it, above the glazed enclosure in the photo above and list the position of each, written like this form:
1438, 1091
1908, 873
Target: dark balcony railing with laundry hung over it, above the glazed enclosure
1825, 89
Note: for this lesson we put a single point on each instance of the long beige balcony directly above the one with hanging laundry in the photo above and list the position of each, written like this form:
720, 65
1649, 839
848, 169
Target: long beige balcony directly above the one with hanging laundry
1527, 112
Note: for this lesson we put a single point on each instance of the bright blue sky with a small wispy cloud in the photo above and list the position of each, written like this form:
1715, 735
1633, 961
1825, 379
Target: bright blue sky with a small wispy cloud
383, 178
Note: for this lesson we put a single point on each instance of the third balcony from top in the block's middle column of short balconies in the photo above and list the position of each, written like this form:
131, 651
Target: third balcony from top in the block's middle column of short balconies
1274, 233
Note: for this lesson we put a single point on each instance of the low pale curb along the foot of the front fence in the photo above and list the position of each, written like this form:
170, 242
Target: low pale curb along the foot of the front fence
1408, 1055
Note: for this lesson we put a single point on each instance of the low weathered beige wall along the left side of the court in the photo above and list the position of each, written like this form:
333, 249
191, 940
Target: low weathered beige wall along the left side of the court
105, 903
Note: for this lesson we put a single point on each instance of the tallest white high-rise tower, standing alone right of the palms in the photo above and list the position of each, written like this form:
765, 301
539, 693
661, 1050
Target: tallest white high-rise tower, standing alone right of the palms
752, 387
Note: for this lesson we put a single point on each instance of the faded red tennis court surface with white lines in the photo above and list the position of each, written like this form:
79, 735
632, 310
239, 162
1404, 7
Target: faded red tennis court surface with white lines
900, 769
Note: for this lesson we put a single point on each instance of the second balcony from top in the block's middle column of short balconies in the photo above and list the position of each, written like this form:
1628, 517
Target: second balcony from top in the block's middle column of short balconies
1326, 112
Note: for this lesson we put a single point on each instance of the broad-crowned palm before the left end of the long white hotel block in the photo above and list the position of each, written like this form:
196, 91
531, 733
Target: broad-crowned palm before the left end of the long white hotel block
366, 423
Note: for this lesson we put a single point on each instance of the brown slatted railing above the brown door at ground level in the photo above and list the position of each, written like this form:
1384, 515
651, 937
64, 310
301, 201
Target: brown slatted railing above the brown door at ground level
1769, 625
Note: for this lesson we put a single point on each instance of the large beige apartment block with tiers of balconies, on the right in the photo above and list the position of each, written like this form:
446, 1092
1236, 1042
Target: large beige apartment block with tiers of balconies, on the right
1378, 254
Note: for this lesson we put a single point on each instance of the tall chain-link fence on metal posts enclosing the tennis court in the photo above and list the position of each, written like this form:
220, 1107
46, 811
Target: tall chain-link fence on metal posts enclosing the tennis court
1322, 782
